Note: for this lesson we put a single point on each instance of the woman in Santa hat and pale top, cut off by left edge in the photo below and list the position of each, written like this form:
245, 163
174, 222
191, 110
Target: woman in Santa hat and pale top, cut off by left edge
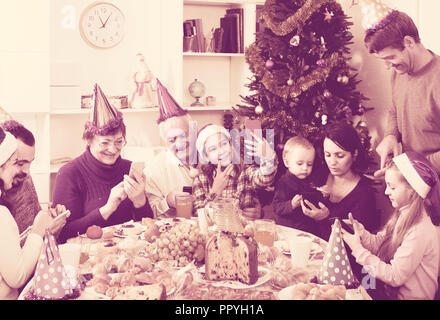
16, 263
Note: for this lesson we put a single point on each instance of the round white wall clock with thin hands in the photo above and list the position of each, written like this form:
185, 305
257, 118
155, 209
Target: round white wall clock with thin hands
102, 25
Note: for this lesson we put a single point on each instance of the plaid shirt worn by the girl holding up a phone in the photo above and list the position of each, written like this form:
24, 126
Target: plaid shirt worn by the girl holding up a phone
244, 188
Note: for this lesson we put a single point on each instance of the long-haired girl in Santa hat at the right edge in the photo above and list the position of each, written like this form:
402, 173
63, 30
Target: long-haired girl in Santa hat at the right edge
405, 254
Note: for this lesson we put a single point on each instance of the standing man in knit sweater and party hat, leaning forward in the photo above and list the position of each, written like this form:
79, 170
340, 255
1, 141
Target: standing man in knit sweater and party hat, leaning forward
415, 82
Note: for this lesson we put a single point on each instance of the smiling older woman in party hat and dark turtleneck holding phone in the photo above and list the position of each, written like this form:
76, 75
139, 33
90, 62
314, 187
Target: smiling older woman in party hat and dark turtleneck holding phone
96, 186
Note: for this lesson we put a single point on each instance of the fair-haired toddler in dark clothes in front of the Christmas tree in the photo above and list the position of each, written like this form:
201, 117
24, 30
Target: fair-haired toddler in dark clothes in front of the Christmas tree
294, 185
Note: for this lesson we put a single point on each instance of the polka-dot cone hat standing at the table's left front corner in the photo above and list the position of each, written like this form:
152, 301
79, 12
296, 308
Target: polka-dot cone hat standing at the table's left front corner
50, 279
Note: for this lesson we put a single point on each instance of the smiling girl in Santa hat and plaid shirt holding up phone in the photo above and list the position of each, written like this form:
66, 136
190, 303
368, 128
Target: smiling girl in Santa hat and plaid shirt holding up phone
224, 173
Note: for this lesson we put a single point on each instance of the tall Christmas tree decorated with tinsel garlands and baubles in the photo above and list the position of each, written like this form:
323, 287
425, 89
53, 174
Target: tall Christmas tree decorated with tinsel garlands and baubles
302, 79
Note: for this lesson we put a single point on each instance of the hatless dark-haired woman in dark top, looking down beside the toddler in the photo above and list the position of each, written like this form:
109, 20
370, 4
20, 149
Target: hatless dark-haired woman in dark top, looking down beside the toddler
349, 190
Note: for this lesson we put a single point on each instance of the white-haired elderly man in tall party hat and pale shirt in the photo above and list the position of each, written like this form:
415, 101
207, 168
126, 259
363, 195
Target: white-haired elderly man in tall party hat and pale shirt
174, 168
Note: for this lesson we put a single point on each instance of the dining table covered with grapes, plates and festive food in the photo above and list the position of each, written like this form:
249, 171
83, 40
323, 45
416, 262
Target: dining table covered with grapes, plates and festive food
125, 253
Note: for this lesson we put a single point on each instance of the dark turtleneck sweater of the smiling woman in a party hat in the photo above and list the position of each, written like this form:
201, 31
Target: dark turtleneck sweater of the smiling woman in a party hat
83, 186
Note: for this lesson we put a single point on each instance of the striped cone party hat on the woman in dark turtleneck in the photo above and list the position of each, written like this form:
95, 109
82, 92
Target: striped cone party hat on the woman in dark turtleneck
103, 117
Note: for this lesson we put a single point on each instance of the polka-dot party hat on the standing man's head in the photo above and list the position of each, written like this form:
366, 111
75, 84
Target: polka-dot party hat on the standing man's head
376, 15
